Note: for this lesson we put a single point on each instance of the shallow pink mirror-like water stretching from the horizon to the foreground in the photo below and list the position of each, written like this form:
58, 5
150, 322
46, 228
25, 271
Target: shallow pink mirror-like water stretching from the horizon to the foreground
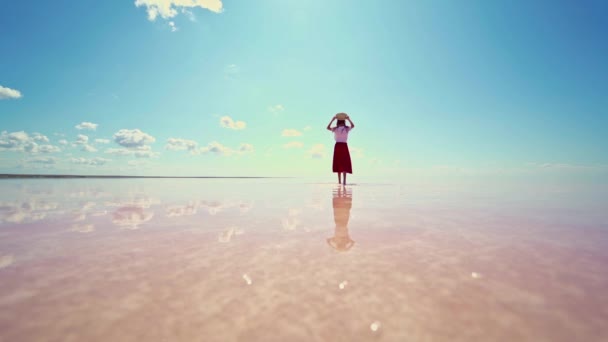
299, 260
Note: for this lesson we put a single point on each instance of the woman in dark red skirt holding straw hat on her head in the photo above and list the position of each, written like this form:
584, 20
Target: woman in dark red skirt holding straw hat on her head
341, 162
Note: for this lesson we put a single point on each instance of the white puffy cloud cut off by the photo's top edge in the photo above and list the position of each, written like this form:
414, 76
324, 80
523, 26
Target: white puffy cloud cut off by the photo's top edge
169, 8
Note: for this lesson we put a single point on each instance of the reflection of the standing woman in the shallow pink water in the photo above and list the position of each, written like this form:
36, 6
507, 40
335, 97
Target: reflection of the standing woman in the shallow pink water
342, 202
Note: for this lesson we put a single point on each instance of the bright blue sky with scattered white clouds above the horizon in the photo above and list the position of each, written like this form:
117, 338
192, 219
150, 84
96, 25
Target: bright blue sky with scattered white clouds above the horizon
247, 87
